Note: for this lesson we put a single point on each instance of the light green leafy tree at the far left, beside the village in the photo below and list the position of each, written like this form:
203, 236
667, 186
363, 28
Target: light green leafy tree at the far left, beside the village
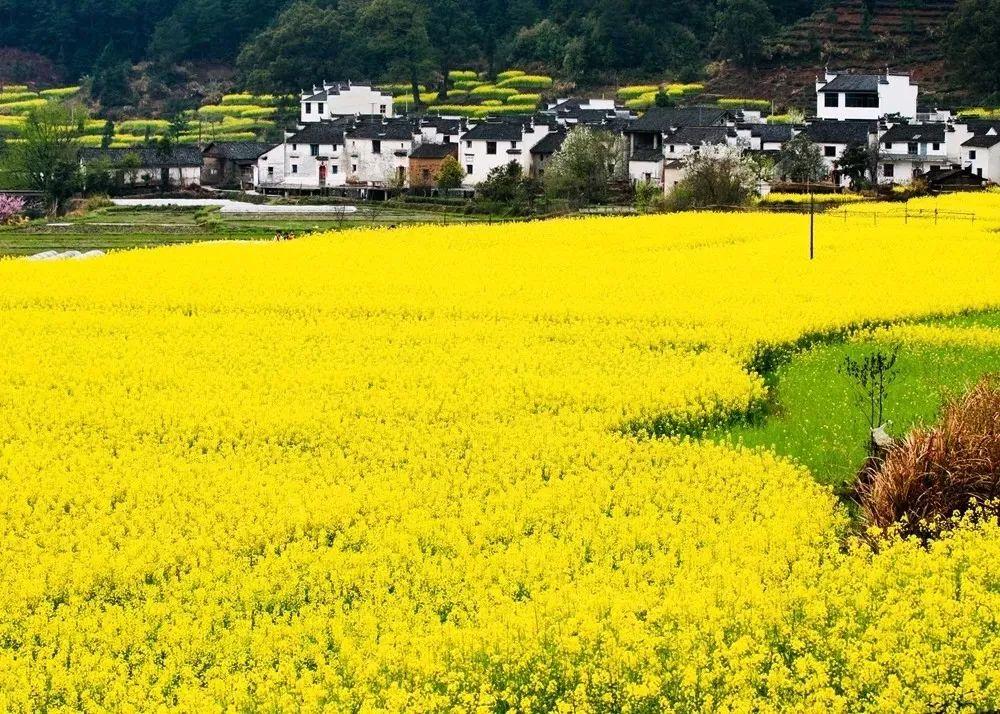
46, 159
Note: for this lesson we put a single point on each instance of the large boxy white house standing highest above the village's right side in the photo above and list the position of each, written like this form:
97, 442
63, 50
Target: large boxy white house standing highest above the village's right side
865, 96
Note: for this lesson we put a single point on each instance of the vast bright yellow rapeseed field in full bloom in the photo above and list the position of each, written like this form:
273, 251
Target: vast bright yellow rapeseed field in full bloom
406, 470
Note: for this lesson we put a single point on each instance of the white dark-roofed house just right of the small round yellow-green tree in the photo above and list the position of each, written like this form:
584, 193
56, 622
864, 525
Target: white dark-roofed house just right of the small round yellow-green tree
497, 142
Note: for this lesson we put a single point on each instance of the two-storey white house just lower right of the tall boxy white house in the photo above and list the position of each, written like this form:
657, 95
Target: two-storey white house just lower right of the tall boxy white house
909, 150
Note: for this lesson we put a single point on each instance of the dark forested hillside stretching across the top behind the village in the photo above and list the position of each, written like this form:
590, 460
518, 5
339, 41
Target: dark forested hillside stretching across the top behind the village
279, 45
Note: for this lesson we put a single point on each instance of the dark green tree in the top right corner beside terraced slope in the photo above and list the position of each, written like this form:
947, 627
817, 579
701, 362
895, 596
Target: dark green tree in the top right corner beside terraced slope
972, 44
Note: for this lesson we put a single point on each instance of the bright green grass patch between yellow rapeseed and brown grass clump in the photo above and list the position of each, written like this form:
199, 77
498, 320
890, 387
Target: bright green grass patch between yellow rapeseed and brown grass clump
814, 417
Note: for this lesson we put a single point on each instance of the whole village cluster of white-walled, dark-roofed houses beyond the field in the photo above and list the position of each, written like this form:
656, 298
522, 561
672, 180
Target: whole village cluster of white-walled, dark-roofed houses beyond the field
349, 139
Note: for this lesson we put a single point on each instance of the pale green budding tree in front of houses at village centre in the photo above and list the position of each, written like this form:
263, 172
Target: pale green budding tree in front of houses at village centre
585, 166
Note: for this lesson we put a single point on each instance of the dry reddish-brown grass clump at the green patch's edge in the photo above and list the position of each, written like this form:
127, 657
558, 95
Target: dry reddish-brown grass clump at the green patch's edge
939, 471
